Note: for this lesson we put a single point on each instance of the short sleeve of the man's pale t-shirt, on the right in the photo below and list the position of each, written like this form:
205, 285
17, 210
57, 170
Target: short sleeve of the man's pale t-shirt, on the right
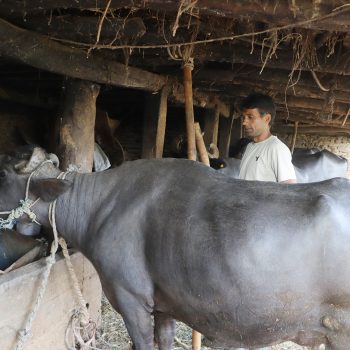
283, 166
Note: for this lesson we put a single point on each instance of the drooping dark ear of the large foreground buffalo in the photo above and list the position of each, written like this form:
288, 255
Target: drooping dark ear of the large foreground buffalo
49, 189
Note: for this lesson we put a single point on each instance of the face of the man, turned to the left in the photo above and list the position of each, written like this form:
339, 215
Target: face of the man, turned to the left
256, 126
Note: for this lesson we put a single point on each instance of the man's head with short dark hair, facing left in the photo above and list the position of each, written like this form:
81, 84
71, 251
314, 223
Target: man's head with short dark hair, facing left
258, 112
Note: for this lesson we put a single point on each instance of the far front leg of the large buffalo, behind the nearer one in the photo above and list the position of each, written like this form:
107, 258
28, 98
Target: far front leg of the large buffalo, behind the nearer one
164, 331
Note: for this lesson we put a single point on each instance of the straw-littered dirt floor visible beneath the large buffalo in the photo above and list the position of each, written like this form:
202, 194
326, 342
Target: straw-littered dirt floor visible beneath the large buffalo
112, 334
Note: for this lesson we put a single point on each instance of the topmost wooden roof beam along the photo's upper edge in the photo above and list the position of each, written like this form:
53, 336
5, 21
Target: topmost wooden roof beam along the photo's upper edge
279, 13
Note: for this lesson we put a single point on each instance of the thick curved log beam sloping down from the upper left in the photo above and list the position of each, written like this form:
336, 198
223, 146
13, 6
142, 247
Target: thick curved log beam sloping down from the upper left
40, 52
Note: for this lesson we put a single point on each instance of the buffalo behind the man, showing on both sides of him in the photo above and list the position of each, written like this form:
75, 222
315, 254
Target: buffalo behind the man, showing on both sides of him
310, 166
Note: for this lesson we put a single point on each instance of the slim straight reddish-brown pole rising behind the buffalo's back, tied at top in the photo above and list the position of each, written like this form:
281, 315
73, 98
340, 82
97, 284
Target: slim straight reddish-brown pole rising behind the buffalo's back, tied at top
191, 142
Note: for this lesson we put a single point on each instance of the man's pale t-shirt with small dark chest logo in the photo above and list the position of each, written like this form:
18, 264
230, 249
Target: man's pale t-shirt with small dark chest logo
268, 160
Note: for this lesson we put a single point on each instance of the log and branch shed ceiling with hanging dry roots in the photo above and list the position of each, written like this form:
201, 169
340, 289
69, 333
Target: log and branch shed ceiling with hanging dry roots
295, 50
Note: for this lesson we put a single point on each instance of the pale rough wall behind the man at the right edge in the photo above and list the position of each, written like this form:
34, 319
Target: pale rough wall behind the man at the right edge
338, 145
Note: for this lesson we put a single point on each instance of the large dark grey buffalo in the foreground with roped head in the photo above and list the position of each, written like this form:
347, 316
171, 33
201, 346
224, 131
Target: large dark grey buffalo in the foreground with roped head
245, 263
